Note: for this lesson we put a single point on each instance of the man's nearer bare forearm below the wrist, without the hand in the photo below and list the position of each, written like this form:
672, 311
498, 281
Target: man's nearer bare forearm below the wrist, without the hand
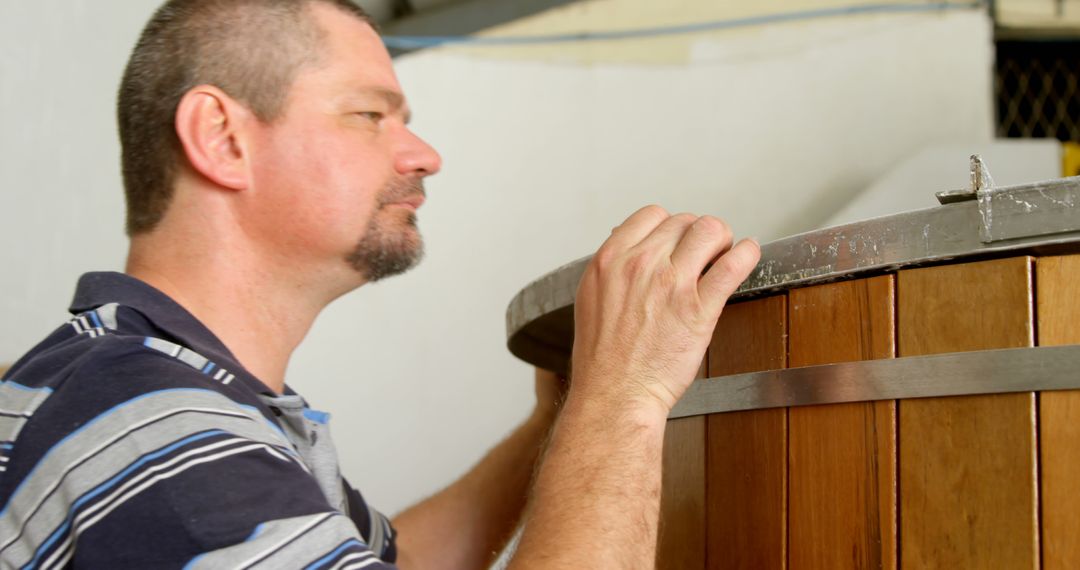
597, 498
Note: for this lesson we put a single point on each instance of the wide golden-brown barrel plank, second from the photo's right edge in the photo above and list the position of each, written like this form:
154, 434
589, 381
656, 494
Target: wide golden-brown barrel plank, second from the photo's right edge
968, 468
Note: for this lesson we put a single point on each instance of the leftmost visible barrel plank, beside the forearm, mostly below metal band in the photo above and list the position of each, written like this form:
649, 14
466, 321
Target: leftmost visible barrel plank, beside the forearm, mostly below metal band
682, 538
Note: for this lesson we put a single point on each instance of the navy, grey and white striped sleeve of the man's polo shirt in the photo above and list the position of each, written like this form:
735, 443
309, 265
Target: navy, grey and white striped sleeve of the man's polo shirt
178, 477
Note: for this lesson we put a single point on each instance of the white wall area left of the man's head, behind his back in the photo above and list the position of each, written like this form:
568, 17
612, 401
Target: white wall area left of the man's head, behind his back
60, 165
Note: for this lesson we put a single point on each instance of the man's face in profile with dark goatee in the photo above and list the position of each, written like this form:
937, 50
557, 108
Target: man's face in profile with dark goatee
339, 178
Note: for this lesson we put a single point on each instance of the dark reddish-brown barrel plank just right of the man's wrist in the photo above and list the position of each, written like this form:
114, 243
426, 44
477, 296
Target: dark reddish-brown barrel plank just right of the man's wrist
747, 458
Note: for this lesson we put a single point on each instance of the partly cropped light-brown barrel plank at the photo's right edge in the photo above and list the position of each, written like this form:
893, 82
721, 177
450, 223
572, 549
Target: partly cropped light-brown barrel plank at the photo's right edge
1058, 315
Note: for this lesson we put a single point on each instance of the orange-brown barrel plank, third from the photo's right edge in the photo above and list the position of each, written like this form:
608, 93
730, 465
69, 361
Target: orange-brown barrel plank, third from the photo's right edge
843, 458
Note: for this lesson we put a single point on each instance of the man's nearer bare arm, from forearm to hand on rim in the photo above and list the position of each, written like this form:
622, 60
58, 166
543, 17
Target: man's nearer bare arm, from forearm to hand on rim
644, 316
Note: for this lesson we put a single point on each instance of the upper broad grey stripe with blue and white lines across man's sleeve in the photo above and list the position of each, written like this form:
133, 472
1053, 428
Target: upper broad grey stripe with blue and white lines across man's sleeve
100, 467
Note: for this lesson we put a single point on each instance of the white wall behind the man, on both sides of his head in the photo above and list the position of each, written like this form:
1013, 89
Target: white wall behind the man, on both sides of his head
774, 129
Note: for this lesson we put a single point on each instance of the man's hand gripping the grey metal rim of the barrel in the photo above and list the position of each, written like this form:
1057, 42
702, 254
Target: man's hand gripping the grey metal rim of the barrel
649, 303
